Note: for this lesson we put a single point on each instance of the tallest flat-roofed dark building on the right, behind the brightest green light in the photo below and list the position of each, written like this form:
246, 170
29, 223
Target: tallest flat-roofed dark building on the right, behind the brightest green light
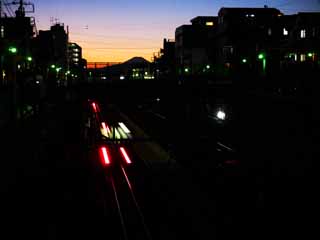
247, 38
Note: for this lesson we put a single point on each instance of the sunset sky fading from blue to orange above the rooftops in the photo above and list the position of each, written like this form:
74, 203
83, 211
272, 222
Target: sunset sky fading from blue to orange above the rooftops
121, 29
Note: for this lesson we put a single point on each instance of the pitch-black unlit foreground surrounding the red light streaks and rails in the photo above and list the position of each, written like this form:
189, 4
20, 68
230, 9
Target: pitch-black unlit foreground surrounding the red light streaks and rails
267, 188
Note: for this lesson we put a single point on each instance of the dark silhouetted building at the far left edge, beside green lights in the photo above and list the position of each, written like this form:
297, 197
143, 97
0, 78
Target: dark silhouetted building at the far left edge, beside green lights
16, 34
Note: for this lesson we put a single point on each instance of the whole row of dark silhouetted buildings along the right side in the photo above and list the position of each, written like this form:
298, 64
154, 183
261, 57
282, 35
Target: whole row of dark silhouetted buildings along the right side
253, 43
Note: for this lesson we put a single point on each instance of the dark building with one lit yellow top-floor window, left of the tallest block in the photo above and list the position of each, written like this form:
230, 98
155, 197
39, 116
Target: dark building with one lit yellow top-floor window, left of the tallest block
194, 46
